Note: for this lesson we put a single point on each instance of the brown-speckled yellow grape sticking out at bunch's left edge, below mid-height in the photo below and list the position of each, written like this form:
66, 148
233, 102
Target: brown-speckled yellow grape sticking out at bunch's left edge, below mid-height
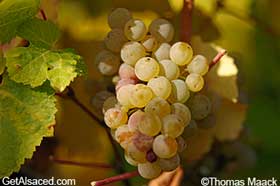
115, 117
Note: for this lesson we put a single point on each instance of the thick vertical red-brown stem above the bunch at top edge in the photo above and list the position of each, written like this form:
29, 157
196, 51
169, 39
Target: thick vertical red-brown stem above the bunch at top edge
186, 20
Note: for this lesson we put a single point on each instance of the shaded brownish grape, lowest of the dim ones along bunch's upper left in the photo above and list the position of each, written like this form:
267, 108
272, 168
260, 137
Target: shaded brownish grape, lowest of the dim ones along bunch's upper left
107, 63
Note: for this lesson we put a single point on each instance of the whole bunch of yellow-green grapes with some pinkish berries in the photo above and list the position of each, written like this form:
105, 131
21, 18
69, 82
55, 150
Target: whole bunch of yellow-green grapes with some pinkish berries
157, 85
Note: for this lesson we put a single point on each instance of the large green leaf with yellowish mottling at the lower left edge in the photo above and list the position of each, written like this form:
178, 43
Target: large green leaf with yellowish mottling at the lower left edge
26, 116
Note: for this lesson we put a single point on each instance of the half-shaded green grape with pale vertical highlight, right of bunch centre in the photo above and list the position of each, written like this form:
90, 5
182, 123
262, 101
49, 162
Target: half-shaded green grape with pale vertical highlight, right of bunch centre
180, 92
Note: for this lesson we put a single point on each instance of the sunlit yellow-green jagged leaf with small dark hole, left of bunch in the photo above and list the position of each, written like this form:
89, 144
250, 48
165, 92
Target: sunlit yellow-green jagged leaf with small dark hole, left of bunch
33, 66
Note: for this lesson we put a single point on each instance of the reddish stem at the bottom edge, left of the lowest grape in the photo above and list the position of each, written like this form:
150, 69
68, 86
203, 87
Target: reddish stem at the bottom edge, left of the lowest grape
113, 179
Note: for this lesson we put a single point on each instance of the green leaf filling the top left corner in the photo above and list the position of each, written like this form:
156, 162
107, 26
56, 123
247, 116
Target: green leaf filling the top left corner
12, 14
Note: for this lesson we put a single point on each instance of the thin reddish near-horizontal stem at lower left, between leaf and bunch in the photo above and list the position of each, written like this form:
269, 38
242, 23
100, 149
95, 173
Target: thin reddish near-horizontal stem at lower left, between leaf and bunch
84, 164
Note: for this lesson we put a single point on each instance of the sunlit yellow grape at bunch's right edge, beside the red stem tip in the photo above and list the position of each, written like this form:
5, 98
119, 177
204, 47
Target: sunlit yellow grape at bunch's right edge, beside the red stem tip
198, 65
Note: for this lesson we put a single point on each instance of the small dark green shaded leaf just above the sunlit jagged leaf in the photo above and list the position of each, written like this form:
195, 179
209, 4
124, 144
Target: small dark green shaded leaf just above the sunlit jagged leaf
39, 32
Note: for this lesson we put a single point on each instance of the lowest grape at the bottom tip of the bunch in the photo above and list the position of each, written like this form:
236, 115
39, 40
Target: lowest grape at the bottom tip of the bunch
149, 170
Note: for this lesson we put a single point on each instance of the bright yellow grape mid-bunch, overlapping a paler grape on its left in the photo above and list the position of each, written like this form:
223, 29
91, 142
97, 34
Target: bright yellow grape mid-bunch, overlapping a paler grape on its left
140, 95
